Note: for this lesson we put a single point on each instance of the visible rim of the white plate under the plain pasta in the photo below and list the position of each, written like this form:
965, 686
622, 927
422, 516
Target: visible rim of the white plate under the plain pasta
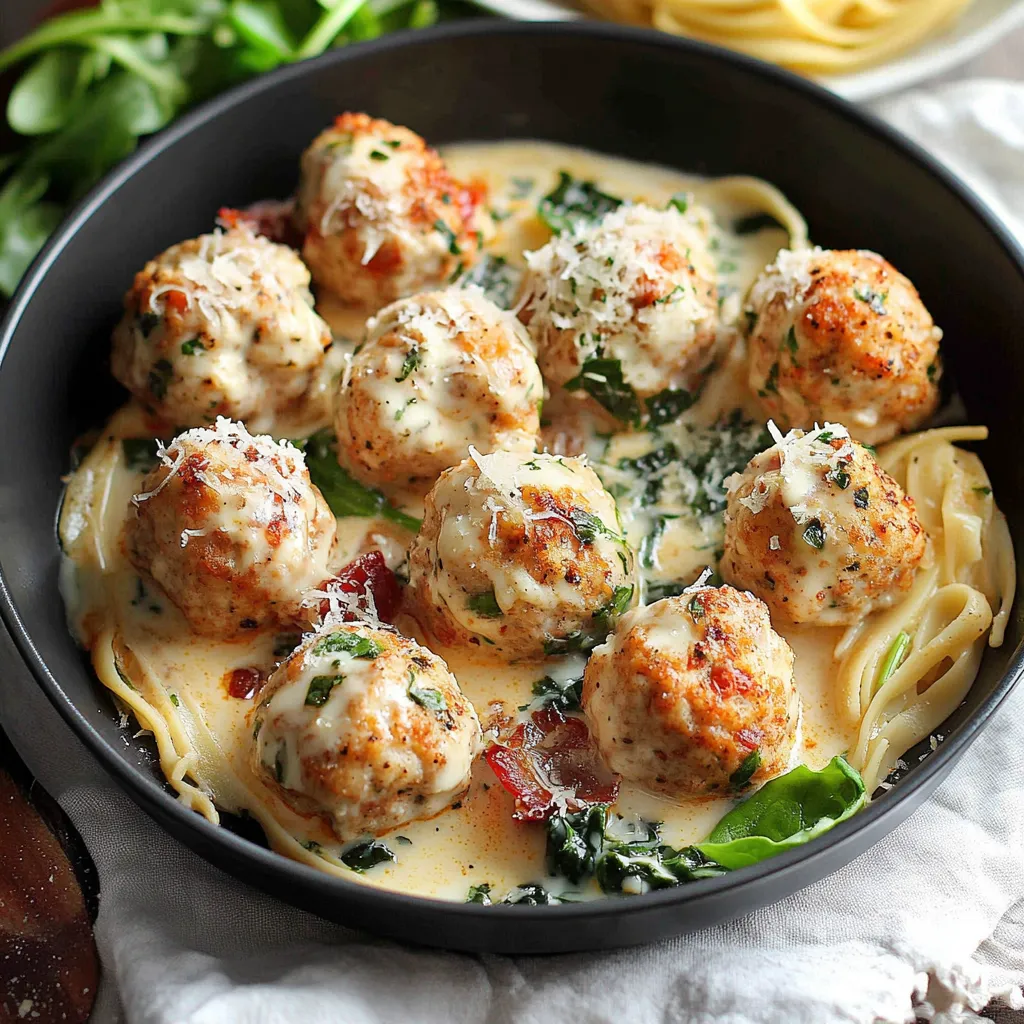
985, 23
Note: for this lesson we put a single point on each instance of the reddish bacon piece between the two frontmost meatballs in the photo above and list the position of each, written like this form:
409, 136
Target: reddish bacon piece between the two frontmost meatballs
550, 763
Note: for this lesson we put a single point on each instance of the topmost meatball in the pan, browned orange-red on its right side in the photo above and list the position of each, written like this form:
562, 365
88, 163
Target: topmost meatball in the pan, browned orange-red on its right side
379, 214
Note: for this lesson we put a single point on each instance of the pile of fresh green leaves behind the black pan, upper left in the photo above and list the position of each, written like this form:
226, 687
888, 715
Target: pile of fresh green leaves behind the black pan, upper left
97, 80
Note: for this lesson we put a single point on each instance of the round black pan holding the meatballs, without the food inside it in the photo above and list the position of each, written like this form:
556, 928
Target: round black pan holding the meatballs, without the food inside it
628, 93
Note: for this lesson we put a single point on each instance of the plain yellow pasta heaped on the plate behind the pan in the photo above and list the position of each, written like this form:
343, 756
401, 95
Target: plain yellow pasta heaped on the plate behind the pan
820, 37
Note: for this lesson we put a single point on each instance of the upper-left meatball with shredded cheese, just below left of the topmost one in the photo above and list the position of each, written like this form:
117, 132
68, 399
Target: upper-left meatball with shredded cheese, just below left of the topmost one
223, 325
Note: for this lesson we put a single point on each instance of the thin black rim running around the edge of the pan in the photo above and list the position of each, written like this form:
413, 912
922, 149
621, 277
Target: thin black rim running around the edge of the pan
146, 792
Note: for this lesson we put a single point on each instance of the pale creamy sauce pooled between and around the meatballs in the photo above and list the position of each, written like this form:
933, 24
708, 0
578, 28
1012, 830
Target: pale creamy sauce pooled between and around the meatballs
670, 502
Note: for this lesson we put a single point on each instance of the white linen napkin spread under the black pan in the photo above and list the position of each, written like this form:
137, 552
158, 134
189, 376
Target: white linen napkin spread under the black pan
929, 922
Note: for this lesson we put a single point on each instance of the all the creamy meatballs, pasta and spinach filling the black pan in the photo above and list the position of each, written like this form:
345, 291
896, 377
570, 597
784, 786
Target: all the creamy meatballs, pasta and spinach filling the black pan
580, 569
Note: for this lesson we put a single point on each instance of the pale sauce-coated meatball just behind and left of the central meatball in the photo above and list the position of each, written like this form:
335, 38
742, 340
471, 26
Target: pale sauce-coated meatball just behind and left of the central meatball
438, 373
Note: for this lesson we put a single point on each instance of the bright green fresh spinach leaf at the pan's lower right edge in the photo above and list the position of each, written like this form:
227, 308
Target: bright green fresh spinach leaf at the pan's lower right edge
788, 812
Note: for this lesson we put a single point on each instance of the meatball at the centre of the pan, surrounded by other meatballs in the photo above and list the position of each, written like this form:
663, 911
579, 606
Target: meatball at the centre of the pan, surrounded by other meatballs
523, 552
